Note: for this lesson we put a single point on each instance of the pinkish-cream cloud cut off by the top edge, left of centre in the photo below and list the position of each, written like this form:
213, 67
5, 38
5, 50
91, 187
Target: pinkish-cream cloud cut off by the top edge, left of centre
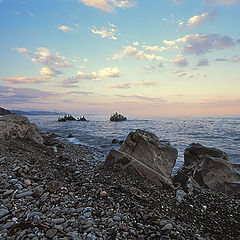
109, 5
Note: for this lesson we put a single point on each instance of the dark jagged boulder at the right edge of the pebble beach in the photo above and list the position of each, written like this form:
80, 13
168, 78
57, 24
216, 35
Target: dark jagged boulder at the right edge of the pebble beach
209, 168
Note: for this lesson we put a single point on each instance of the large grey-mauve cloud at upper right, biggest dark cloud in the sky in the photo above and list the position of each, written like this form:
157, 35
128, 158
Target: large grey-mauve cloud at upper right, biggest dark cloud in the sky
202, 43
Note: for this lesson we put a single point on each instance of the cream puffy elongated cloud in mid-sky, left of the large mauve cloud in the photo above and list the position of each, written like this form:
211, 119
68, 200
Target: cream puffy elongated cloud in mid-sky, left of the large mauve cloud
132, 52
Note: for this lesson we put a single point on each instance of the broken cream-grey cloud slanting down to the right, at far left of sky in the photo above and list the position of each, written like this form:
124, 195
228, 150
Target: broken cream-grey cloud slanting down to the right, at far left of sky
45, 57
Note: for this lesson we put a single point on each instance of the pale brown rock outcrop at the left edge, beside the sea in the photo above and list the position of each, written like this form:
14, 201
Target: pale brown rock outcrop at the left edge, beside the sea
13, 126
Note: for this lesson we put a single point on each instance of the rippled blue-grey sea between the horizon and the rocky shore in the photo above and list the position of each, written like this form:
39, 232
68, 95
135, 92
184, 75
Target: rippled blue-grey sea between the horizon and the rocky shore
219, 132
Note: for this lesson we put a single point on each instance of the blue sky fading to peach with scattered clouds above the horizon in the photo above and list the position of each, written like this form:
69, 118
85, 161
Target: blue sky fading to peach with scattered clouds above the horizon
137, 57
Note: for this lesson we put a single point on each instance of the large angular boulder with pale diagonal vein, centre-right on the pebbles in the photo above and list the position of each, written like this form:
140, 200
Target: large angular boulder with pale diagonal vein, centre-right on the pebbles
144, 153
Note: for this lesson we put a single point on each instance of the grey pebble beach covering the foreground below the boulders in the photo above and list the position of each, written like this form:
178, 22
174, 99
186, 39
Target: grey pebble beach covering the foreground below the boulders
70, 195
